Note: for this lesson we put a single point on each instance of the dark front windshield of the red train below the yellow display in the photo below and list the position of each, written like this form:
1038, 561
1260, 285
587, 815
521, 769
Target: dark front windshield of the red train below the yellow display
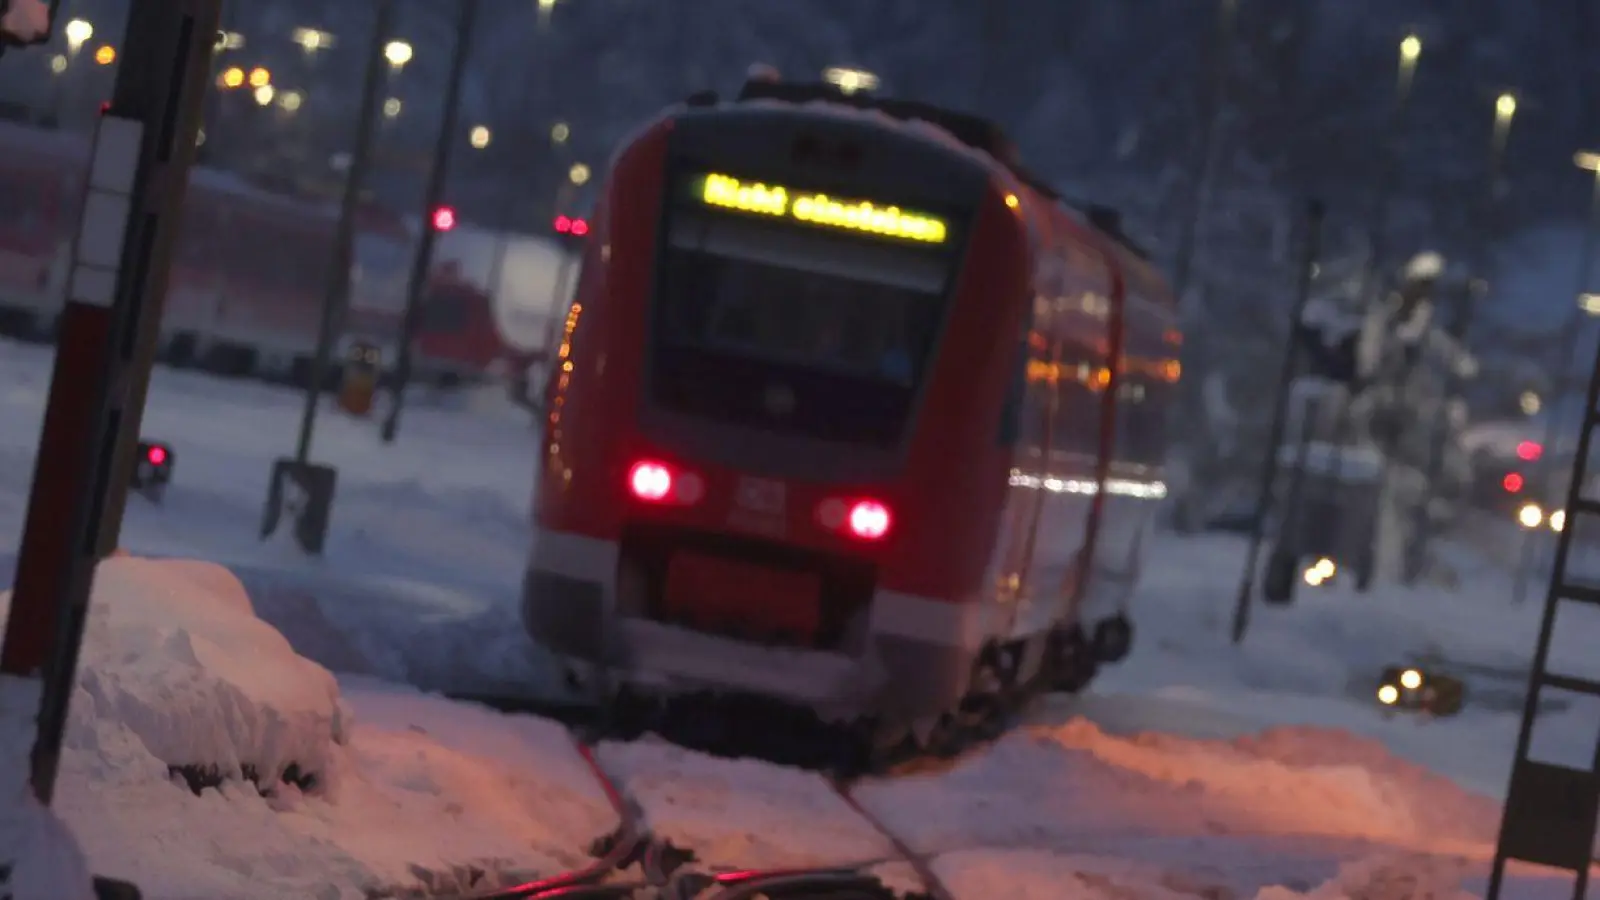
794, 326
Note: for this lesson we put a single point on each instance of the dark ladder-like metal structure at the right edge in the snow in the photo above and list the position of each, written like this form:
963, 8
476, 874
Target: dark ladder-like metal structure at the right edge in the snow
1551, 811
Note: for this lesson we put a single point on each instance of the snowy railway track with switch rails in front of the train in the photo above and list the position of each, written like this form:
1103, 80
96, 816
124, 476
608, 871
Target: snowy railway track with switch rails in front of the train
638, 866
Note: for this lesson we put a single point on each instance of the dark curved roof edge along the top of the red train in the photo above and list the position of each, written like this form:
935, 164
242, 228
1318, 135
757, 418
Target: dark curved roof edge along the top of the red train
974, 132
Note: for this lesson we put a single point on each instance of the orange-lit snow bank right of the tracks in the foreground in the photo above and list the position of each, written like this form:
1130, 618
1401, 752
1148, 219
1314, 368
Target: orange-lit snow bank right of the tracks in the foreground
1284, 810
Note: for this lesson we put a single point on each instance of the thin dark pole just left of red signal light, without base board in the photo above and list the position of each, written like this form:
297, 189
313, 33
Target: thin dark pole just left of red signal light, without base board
423, 262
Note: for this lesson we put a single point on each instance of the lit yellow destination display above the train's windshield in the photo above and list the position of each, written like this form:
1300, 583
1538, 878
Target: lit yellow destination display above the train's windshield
822, 211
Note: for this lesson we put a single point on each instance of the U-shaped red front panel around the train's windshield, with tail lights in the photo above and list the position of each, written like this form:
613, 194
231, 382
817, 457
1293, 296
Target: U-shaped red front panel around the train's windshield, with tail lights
943, 499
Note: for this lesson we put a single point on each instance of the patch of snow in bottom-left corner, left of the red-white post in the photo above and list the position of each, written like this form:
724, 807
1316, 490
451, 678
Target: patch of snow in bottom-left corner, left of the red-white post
39, 856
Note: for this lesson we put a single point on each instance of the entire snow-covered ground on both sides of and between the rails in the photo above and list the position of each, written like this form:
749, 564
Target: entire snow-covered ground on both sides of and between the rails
1174, 794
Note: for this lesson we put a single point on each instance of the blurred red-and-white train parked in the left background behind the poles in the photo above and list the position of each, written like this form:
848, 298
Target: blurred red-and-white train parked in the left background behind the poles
250, 273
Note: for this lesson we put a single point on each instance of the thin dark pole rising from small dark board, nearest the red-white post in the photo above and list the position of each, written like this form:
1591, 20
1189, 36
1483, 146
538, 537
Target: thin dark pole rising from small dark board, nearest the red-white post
338, 289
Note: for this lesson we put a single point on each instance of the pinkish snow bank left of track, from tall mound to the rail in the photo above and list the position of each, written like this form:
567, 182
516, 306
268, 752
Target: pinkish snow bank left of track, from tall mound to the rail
423, 797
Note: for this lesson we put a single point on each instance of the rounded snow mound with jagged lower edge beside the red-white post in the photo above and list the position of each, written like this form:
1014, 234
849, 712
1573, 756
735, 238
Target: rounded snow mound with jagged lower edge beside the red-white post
178, 669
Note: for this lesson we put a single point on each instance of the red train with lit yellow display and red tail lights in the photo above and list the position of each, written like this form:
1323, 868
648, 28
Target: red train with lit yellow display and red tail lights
850, 412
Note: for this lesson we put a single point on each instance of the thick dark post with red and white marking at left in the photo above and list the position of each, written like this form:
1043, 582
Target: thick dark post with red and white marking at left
145, 145
